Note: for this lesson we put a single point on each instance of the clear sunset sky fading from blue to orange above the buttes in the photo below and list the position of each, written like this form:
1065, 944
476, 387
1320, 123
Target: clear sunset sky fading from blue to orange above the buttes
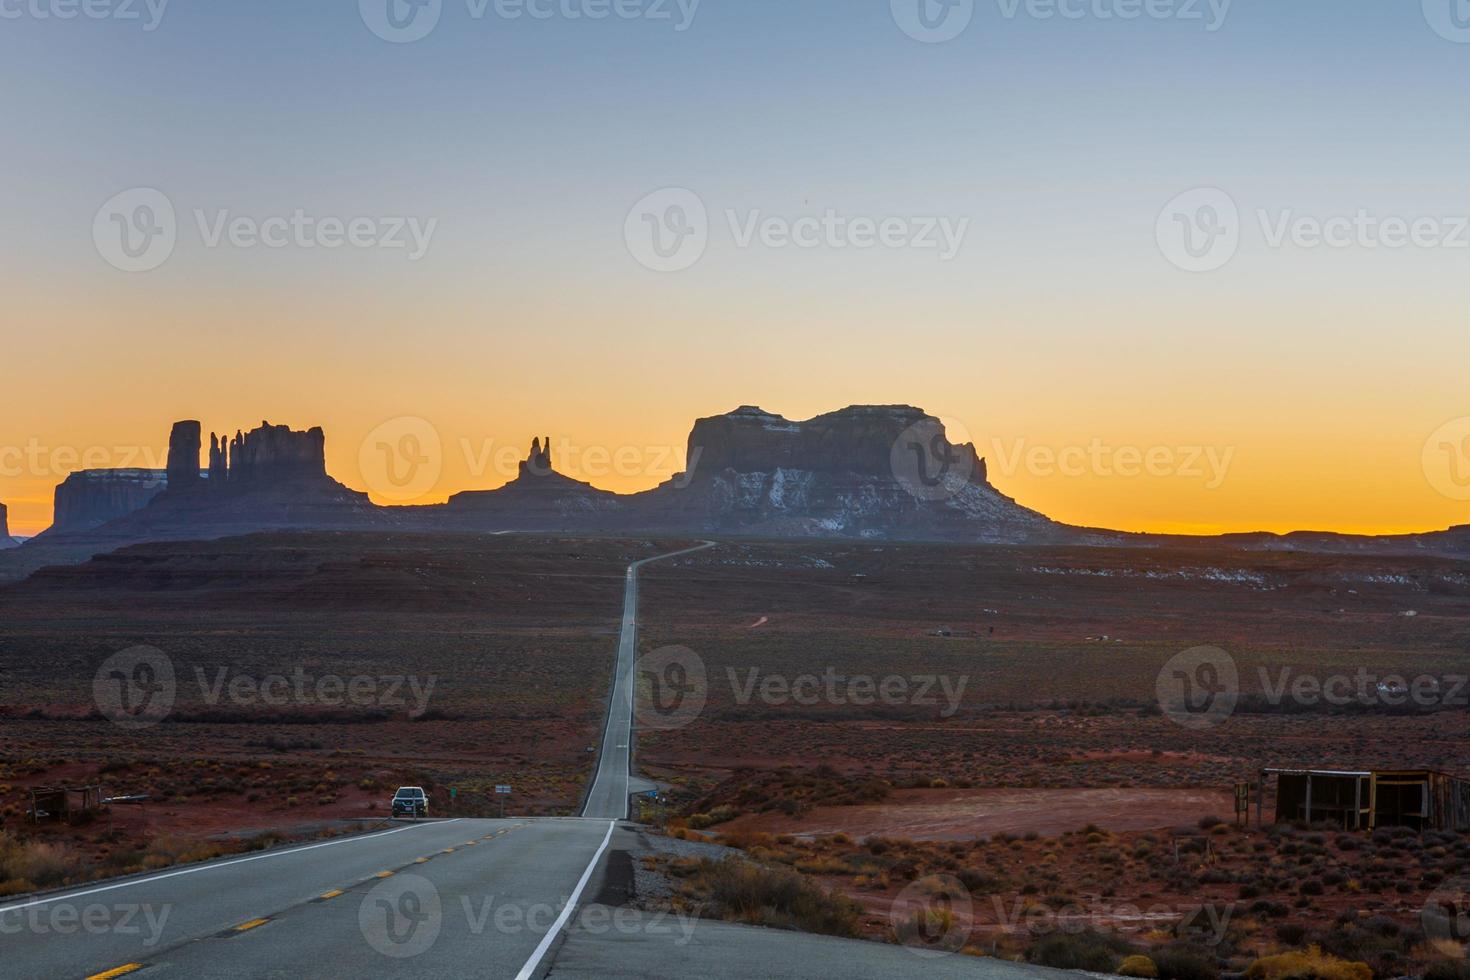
1228, 240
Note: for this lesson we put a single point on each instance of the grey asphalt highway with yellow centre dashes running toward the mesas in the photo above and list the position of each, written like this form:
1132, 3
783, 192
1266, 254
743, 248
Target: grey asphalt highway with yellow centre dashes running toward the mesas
439, 898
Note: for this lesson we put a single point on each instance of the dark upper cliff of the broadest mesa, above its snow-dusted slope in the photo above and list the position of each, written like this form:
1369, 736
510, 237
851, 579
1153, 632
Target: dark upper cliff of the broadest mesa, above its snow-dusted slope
858, 440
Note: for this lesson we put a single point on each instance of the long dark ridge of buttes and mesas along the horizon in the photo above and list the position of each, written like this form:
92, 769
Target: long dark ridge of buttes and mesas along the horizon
865, 472
